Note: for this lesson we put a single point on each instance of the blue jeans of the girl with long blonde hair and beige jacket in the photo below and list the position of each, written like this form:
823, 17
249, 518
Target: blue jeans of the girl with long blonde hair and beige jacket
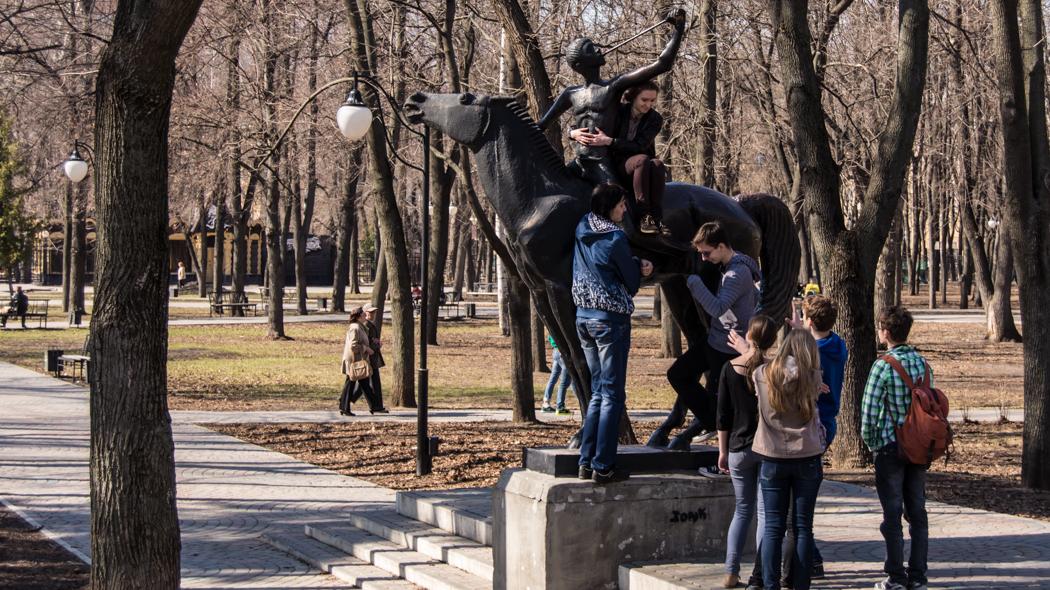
782, 482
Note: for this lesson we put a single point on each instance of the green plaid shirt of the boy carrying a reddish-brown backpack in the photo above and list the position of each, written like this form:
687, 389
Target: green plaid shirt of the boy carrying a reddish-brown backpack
886, 386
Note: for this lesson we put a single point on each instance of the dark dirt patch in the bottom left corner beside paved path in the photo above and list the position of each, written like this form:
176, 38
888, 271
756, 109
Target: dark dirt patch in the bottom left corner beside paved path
30, 561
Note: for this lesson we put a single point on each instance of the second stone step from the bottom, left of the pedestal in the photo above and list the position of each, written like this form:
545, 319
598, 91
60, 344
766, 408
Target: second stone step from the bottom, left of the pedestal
412, 566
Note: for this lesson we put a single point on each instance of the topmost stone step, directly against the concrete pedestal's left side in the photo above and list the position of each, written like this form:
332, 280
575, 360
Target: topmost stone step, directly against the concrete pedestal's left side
465, 513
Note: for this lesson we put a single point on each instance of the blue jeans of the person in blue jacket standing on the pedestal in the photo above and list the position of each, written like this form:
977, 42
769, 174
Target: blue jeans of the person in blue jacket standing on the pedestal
606, 345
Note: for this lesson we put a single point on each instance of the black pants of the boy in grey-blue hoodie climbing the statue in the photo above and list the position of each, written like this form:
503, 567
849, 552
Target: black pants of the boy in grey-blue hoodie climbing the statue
685, 378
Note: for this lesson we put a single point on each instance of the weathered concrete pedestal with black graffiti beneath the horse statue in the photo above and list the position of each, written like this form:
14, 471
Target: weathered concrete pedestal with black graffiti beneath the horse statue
556, 534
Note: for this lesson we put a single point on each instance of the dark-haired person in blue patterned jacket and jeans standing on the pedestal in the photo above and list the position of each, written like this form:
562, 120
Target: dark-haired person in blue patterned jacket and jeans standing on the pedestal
605, 279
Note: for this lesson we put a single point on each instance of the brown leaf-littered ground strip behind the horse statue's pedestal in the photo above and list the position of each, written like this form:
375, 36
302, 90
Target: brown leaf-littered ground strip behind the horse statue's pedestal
984, 472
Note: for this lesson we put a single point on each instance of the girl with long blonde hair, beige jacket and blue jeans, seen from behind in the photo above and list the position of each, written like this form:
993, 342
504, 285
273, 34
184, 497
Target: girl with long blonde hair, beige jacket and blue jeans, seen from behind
790, 439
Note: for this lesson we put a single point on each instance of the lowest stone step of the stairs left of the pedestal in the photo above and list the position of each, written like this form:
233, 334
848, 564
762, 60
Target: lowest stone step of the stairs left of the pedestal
358, 573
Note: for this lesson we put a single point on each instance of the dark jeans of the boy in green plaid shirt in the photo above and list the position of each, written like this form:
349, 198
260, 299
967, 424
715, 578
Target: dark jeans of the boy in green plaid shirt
902, 492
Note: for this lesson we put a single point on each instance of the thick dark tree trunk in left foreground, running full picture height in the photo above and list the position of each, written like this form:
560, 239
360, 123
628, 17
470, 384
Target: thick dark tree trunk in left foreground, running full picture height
135, 525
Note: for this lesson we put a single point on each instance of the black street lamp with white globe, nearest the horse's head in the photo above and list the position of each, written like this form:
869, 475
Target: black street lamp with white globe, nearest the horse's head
355, 119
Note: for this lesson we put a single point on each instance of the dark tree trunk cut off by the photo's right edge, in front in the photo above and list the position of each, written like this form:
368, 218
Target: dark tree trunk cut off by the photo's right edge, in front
1027, 162
